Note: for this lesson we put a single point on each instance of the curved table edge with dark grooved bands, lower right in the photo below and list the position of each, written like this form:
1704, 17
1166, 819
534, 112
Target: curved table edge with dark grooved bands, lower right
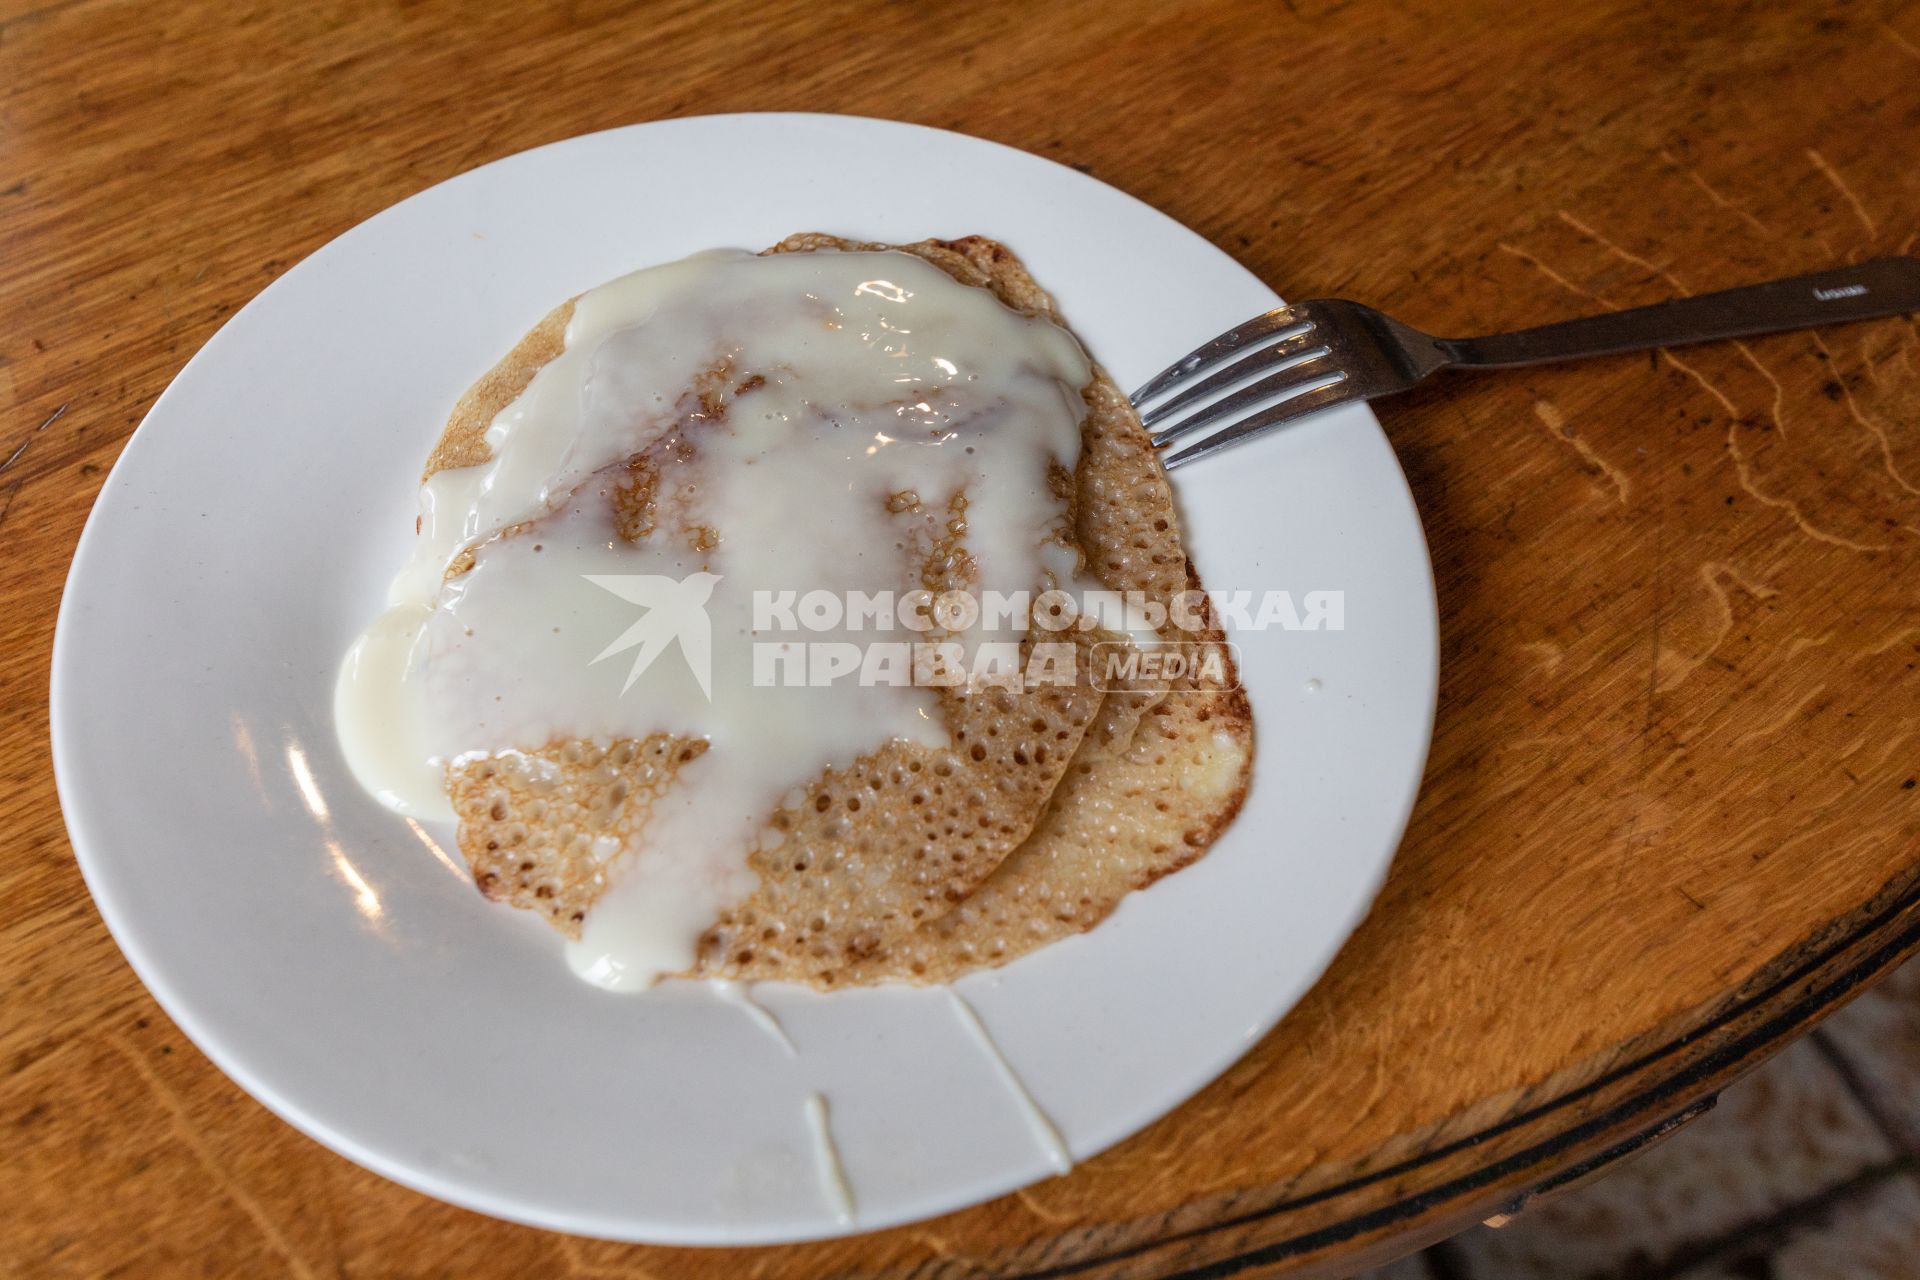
1547, 1137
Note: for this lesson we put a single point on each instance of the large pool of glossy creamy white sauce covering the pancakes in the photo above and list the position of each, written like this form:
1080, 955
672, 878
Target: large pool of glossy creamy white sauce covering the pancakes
853, 377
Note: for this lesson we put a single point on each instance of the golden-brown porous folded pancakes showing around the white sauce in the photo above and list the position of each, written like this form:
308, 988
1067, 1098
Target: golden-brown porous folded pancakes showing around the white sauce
913, 863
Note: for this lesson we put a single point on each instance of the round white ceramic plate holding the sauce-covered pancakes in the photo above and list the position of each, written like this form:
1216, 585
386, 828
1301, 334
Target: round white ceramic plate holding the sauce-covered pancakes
352, 980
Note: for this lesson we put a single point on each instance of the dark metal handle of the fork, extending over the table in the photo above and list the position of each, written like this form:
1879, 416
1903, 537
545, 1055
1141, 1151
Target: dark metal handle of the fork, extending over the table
1879, 289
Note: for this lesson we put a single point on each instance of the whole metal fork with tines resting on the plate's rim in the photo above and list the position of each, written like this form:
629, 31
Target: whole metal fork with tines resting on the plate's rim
1330, 352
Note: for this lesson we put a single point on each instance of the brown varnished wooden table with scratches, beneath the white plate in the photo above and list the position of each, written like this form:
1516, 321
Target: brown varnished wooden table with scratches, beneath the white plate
1671, 815
